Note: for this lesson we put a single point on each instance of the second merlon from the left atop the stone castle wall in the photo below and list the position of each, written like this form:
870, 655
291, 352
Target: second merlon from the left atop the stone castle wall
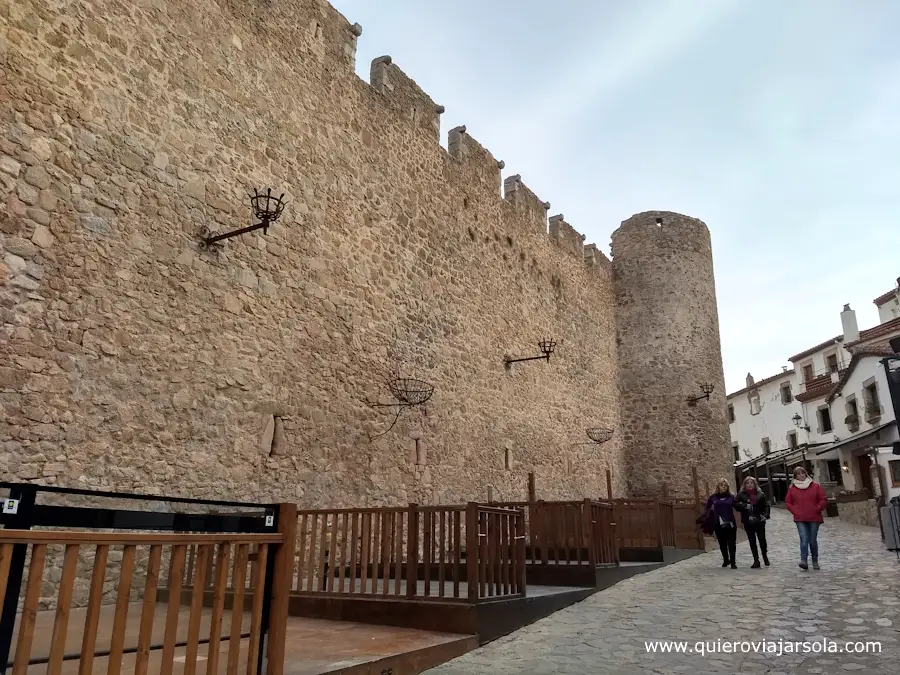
414, 106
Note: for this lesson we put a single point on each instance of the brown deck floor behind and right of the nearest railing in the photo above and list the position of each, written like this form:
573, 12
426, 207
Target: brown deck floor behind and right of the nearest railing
313, 646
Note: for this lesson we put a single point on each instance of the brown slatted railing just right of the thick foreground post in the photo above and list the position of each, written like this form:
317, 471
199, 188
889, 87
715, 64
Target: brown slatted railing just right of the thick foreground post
444, 553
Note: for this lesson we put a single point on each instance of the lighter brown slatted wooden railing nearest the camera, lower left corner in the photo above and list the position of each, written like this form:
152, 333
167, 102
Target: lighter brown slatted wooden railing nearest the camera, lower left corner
156, 560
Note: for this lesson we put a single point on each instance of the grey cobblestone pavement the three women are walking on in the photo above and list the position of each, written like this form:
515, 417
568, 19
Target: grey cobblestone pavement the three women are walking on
855, 596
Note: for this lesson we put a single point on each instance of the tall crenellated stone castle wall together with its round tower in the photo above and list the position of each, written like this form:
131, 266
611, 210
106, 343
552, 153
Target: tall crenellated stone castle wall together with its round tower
131, 358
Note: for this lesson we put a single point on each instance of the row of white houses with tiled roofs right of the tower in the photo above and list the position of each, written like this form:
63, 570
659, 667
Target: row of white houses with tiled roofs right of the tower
833, 410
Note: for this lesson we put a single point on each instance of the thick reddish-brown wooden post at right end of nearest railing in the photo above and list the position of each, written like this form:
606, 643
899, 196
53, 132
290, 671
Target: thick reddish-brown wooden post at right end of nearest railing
281, 588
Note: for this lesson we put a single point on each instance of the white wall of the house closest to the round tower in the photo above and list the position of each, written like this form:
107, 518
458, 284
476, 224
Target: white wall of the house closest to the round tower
774, 420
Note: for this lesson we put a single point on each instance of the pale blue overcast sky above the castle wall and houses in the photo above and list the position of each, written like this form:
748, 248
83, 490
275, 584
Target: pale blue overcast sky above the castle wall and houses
777, 123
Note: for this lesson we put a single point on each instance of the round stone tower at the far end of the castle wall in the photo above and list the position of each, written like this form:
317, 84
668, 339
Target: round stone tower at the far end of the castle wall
668, 343
